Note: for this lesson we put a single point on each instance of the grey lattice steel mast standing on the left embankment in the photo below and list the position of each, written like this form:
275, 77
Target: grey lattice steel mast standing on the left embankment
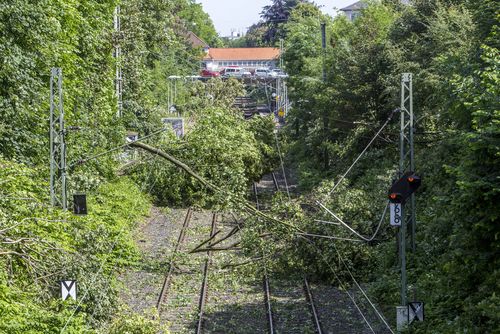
57, 144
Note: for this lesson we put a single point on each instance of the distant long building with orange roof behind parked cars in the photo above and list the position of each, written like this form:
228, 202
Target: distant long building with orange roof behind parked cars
251, 58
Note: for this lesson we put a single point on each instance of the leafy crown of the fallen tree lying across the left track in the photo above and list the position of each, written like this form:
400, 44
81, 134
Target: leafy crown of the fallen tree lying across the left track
219, 146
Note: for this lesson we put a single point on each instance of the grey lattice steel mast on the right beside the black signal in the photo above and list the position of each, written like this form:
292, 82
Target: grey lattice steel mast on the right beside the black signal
406, 164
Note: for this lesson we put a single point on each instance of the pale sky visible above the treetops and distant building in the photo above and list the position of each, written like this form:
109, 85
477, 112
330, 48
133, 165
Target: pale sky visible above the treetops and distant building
241, 14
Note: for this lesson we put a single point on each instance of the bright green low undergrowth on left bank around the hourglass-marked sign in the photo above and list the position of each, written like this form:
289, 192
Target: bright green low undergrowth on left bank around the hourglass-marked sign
39, 246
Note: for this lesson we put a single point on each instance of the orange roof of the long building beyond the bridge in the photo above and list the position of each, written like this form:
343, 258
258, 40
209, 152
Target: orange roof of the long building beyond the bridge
242, 54
